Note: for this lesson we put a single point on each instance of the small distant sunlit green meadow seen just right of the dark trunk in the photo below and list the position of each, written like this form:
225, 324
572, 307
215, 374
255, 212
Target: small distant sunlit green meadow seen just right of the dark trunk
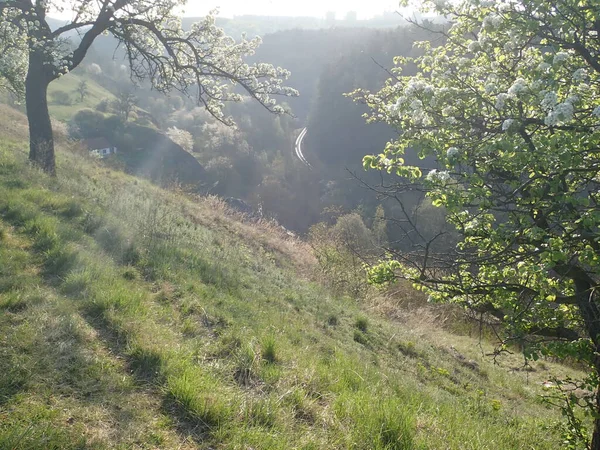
69, 83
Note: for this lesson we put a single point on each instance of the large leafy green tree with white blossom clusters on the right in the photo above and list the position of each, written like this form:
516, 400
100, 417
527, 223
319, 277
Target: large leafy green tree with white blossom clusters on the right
509, 107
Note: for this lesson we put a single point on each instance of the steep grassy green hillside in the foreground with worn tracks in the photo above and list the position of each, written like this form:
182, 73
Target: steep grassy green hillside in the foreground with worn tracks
132, 317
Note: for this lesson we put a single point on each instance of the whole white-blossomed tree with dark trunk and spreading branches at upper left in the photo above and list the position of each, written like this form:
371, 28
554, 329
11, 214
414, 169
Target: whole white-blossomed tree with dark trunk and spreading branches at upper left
198, 62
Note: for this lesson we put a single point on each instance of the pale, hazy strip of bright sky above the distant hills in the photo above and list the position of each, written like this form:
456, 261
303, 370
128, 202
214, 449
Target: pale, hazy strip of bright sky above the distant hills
318, 8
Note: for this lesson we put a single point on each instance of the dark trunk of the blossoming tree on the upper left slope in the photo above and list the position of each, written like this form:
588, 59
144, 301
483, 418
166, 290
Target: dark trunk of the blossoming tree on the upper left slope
41, 140
